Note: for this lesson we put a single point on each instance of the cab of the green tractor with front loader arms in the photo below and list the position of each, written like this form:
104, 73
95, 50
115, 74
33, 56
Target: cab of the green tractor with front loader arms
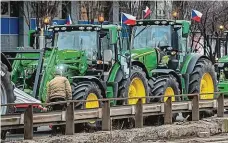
98, 44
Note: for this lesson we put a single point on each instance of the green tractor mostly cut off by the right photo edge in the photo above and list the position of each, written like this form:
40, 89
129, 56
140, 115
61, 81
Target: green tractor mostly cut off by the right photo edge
223, 74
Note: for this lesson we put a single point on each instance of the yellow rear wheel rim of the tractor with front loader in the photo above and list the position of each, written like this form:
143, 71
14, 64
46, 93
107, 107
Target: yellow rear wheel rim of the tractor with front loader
136, 89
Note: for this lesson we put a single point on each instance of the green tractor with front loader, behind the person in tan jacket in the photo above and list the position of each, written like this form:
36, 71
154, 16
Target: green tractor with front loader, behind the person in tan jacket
92, 57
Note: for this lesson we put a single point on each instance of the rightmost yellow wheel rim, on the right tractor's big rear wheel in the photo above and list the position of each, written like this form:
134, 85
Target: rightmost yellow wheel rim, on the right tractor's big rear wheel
206, 86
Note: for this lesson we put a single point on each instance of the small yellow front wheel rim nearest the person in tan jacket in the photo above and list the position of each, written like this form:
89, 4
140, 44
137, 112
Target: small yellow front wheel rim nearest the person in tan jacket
92, 104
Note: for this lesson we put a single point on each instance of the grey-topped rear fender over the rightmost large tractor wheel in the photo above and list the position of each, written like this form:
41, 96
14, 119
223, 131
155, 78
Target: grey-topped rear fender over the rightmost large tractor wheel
193, 61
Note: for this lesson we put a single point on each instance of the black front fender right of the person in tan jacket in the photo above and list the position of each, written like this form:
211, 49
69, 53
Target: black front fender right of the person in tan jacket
101, 84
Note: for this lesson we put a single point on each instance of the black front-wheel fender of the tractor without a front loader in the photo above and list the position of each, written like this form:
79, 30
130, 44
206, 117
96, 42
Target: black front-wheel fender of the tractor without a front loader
169, 72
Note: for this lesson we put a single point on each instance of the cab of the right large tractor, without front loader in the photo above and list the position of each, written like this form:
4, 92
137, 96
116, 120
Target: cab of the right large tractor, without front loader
166, 37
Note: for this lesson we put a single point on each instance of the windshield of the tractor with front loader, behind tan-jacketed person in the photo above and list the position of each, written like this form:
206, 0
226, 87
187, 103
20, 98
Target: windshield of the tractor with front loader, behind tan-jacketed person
78, 40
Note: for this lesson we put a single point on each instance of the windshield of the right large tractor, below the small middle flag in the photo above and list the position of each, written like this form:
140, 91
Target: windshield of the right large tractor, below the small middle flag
152, 36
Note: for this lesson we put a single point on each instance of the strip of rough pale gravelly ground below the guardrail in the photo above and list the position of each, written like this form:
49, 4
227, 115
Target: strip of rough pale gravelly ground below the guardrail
179, 130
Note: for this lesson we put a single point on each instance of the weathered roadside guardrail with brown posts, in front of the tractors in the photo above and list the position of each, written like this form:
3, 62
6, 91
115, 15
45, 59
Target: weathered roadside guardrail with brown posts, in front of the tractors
28, 119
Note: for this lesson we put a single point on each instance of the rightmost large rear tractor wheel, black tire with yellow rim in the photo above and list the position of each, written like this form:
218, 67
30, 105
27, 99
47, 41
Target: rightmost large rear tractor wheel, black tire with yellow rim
203, 71
